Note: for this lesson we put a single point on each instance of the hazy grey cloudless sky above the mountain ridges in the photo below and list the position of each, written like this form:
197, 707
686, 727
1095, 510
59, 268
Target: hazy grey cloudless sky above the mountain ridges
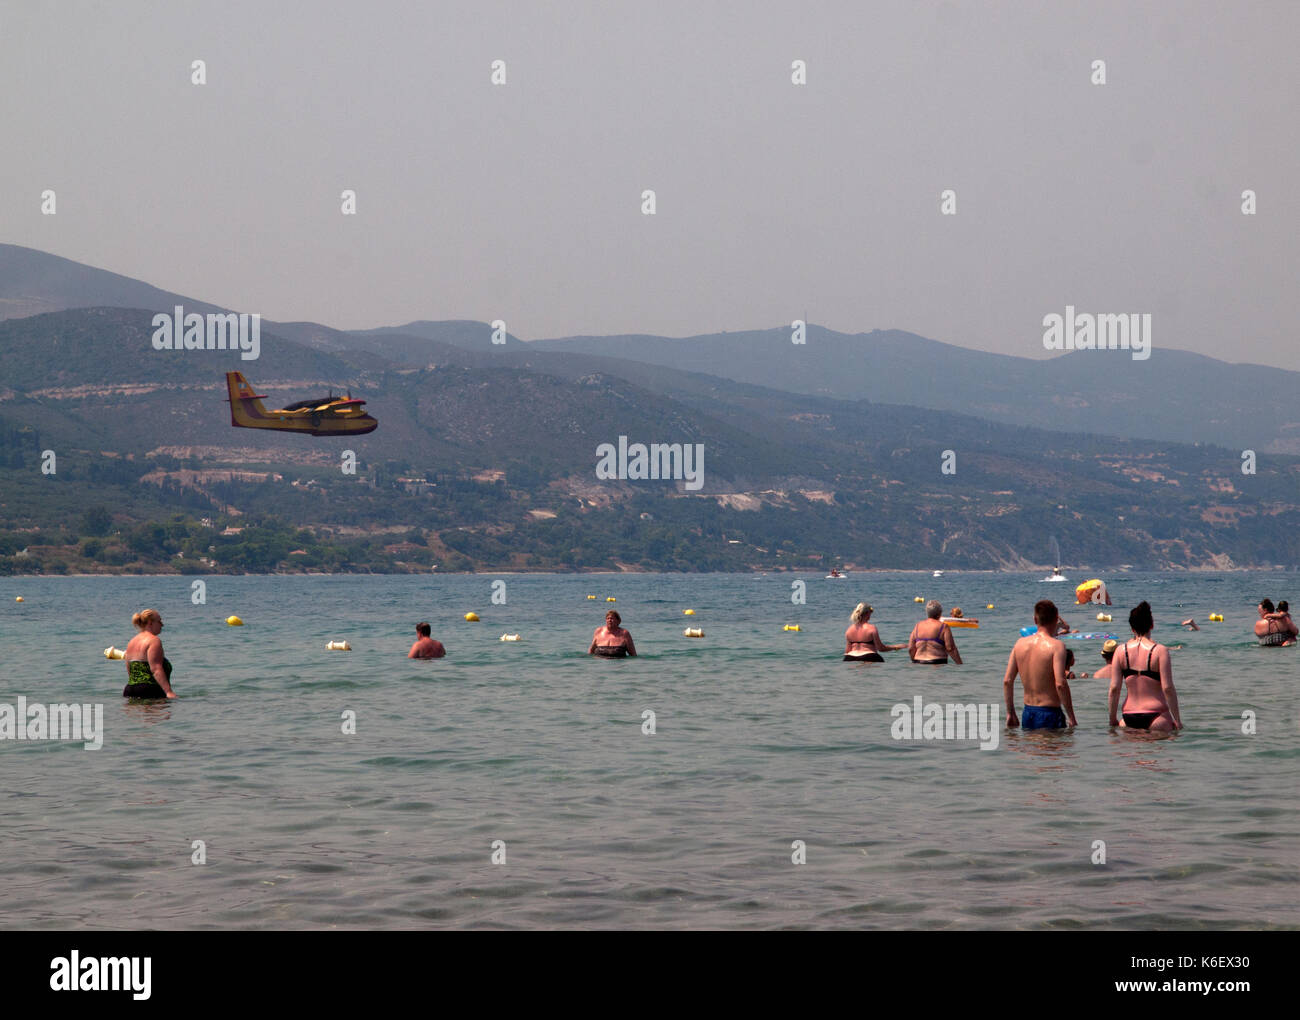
775, 202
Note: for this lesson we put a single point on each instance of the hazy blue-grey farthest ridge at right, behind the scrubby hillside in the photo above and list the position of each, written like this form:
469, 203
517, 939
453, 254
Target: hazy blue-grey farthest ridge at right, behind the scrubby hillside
1173, 396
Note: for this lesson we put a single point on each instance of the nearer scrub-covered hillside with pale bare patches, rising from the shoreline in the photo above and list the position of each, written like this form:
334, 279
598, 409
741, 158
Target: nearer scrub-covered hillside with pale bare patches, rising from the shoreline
487, 461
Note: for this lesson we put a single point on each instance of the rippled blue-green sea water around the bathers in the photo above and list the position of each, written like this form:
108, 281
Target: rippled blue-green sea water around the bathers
764, 737
